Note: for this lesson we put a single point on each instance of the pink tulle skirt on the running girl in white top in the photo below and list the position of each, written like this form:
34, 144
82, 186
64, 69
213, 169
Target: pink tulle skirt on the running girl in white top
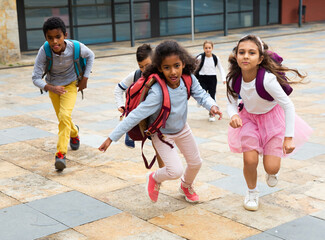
265, 133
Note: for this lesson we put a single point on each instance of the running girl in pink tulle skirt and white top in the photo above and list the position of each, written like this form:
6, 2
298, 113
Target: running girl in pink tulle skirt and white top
266, 122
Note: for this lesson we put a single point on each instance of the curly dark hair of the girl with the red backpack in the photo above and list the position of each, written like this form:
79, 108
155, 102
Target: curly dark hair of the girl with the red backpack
166, 49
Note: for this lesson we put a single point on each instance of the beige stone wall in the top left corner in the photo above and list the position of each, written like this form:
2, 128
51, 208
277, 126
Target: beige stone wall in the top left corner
9, 36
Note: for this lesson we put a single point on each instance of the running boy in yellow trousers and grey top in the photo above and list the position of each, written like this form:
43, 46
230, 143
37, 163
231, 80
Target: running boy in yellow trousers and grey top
62, 82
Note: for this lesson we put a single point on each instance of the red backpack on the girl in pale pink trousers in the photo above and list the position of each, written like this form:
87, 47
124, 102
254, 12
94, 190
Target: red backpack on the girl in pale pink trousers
137, 93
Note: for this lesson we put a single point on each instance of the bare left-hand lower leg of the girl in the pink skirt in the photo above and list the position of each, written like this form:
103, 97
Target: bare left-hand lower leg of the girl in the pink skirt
250, 168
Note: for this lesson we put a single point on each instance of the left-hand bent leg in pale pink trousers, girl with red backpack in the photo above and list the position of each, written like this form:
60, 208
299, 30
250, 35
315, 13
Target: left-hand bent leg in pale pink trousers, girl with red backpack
173, 168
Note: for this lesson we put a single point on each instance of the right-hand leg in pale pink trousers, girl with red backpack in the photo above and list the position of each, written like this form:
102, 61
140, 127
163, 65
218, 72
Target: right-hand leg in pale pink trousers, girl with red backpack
188, 147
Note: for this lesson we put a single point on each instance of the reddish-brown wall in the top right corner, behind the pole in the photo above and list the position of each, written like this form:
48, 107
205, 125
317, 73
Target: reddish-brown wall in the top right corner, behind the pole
314, 11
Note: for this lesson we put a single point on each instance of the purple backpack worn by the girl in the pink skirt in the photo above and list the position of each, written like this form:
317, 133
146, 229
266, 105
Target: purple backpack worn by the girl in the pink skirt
260, 79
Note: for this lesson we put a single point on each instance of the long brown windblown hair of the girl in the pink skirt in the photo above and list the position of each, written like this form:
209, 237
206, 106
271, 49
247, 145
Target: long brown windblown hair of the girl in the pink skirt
268, 63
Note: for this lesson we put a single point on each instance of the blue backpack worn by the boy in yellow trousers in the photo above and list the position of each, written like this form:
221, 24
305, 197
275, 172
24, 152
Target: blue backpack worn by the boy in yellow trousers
79, 62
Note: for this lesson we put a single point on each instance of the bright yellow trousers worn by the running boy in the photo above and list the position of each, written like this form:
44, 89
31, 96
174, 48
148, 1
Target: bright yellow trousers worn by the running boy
63, 106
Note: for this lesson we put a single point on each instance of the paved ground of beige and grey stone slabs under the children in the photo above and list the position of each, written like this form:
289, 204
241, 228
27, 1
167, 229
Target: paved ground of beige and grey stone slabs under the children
101, 196
